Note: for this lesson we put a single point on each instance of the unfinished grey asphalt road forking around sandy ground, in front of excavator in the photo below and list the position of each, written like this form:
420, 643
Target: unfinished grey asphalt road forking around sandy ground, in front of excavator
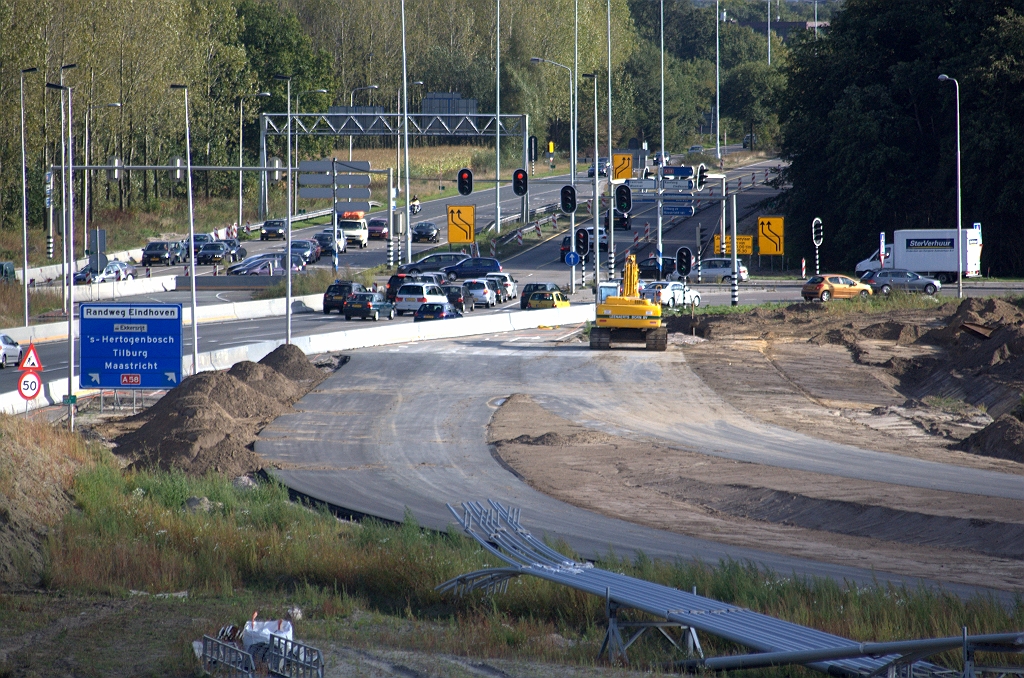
406, 428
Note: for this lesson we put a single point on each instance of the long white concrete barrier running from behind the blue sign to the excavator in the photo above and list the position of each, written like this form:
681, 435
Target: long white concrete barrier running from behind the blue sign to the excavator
54, 392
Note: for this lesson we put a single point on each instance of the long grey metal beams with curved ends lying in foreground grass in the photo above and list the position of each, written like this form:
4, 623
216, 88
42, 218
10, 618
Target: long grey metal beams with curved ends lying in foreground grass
775, 642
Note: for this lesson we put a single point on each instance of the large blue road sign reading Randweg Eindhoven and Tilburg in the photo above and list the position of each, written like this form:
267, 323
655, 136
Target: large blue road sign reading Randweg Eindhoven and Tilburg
131, 346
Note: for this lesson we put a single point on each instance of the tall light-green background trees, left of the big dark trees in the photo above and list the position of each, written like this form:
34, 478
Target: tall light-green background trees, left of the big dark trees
131, 52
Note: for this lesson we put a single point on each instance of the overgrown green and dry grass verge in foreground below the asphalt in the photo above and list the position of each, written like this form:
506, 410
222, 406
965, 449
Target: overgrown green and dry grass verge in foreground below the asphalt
371, 585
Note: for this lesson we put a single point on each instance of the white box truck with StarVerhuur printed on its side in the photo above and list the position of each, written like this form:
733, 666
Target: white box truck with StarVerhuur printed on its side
931, 252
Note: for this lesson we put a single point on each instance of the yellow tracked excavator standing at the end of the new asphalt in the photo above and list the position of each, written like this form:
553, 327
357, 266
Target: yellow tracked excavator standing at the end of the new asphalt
629, 318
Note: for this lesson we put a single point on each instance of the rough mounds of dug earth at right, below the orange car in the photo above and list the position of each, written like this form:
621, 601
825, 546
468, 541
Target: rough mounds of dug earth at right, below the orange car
926, 355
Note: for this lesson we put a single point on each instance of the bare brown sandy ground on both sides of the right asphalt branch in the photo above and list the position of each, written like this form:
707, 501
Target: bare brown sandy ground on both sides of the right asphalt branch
842, 379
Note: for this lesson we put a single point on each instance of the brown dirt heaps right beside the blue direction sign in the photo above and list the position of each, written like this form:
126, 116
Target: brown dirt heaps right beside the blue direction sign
210, 421
